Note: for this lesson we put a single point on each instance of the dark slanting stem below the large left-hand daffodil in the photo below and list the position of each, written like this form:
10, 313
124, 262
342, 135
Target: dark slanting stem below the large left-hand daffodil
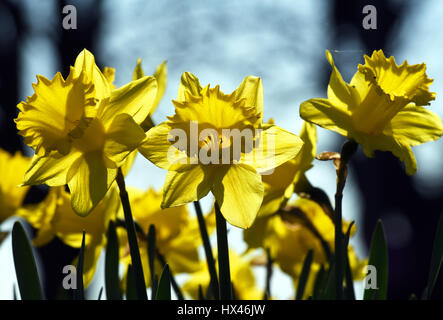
132, 239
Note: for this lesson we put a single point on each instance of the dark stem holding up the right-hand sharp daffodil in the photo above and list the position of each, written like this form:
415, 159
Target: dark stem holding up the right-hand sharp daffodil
348, 149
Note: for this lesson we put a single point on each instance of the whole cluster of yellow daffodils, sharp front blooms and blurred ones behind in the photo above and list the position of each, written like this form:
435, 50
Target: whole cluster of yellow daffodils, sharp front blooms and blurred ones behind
86, 134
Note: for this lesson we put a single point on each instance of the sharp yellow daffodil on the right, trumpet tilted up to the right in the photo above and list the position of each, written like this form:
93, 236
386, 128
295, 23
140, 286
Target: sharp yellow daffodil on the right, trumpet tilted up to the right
381, 108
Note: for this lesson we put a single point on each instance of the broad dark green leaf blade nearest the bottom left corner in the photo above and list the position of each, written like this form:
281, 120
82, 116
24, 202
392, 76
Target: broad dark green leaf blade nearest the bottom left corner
25, 267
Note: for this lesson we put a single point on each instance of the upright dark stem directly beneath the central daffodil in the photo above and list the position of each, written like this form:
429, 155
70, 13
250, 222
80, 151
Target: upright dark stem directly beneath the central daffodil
223, 255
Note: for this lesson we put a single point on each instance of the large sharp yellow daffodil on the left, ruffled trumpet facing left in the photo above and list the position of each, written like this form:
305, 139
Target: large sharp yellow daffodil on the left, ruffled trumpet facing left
82, 130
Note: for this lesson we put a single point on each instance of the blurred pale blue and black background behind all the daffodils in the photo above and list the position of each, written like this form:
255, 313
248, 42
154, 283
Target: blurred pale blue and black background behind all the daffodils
221, 42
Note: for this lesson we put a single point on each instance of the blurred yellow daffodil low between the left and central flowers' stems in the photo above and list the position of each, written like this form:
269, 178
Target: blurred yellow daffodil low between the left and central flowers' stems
177, 234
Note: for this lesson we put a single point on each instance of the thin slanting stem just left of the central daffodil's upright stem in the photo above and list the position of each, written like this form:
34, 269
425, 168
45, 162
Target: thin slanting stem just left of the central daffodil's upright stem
208, 251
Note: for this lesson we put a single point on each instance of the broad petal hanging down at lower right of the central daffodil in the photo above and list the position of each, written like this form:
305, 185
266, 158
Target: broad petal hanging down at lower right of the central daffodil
239, 192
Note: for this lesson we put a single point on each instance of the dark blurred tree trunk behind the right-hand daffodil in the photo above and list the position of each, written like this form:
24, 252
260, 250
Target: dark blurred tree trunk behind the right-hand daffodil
384, 186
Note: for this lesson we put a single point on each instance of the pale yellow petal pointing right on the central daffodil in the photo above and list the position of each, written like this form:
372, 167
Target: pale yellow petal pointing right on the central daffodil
275, 148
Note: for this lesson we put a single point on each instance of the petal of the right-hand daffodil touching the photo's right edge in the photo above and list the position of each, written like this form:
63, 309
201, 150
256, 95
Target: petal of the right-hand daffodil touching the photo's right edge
415, 125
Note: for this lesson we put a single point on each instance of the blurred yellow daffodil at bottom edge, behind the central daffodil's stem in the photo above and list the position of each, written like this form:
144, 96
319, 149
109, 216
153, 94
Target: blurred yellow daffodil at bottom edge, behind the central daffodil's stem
242, 277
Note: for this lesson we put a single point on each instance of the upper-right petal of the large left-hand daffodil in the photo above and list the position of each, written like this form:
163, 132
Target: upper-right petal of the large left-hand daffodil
136, 99
